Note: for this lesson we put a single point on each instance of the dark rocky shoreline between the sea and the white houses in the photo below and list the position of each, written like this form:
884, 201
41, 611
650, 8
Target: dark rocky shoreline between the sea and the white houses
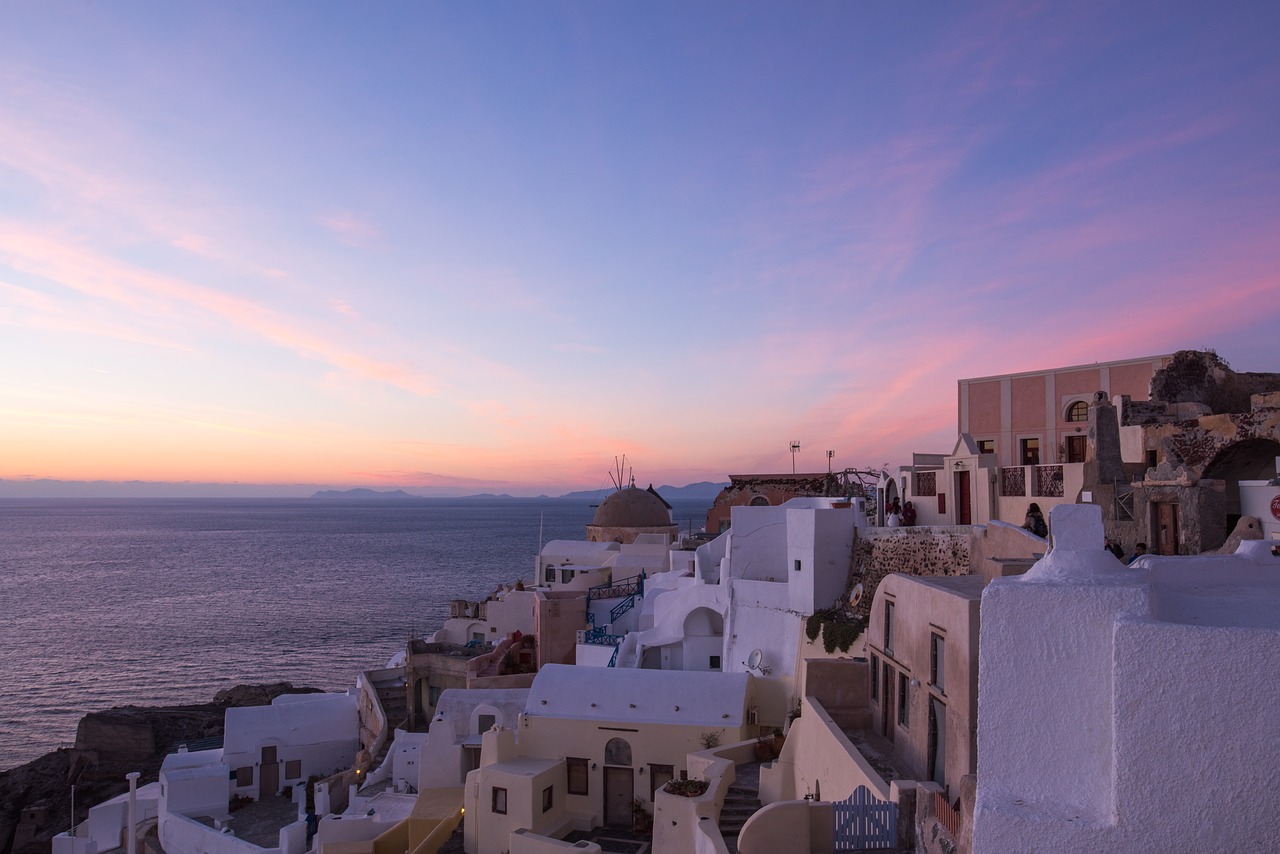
35, 798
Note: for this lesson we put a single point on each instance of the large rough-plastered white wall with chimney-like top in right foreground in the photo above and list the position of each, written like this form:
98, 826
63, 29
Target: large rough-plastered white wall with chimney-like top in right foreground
1123, 710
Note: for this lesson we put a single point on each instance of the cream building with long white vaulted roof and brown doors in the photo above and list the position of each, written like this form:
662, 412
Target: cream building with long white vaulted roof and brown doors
591, 743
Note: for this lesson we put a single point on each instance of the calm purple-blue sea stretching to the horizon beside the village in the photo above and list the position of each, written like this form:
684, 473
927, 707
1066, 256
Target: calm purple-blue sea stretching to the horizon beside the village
161, 602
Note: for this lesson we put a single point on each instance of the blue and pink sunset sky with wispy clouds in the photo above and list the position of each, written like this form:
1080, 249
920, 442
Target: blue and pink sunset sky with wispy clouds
491, 248
